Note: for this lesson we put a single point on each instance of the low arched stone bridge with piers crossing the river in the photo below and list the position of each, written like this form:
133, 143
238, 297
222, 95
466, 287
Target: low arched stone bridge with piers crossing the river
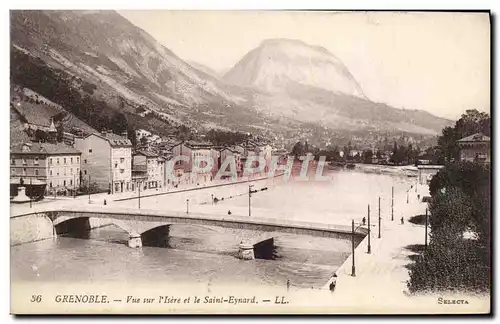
141, 225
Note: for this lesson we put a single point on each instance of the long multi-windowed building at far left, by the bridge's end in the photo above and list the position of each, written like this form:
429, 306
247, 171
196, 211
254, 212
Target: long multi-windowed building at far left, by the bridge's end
56, 165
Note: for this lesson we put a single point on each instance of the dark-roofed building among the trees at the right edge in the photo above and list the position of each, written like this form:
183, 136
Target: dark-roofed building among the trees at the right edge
475, 148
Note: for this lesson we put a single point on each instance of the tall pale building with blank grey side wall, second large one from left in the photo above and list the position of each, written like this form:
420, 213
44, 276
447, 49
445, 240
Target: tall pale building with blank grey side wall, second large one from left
106, 161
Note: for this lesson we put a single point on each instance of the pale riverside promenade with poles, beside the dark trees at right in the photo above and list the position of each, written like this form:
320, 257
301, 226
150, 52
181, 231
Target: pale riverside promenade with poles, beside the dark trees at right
381, 277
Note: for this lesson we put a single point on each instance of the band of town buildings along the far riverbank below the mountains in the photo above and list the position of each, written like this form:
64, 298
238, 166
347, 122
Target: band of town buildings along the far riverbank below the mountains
78, 159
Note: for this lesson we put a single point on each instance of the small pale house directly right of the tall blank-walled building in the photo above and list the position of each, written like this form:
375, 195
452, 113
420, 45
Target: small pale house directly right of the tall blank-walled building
153, 165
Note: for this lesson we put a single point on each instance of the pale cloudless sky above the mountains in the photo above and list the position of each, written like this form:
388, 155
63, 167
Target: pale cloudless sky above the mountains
438, 62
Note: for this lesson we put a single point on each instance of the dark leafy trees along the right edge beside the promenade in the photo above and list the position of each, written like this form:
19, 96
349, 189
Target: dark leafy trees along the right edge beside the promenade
458, 257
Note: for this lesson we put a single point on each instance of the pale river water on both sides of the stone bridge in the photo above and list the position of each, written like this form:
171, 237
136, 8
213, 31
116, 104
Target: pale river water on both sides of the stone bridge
203, 254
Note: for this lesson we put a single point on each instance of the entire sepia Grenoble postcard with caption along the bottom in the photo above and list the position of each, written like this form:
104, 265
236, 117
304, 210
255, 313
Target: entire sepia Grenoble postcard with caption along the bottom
250, 162
